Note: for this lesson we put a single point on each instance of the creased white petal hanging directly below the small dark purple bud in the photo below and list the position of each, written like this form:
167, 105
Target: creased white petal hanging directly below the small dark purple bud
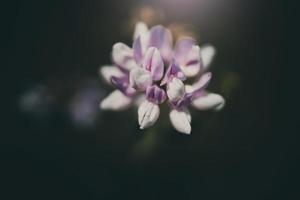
148, 114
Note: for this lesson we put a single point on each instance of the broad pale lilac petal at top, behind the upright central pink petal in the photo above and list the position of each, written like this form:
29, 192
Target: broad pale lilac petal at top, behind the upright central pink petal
161, 38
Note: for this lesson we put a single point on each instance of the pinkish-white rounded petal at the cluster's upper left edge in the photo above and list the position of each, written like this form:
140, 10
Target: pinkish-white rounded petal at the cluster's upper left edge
123, 56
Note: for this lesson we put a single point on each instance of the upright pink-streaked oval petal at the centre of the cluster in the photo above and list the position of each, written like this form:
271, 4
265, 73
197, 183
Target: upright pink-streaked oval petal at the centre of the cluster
154, 64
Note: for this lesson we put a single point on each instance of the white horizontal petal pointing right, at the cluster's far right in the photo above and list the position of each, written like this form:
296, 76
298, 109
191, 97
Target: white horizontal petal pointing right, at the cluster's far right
209, 101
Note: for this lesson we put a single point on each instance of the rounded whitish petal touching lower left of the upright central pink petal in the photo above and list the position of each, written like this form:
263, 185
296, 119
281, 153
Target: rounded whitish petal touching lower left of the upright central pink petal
140, 78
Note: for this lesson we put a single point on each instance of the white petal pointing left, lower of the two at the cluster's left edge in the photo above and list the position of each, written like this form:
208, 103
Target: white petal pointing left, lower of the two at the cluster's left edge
115, 101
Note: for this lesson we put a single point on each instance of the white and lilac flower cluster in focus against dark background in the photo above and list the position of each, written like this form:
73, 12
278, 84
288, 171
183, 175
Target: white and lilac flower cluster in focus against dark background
153, 72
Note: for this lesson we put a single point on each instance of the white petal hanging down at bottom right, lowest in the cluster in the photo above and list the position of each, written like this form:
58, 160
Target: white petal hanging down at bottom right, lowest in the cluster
181, 120
